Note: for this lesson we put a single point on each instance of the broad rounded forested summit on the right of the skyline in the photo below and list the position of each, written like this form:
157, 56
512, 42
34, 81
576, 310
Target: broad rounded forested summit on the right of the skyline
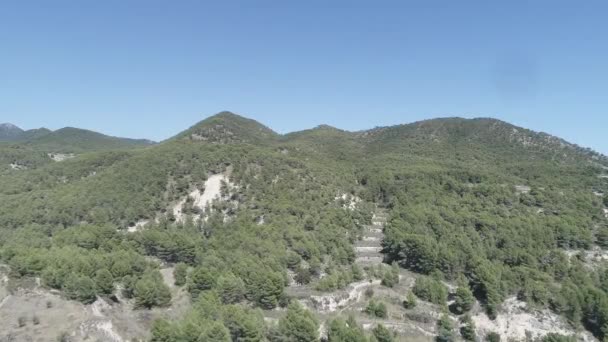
465, 136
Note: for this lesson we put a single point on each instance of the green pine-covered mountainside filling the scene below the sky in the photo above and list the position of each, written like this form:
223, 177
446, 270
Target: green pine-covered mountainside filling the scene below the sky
495, 210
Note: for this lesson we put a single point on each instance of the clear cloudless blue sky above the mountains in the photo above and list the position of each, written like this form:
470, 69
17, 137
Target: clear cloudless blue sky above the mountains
149, 69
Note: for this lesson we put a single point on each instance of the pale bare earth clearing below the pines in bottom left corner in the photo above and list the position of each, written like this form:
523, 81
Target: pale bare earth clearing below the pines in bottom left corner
33, 313
